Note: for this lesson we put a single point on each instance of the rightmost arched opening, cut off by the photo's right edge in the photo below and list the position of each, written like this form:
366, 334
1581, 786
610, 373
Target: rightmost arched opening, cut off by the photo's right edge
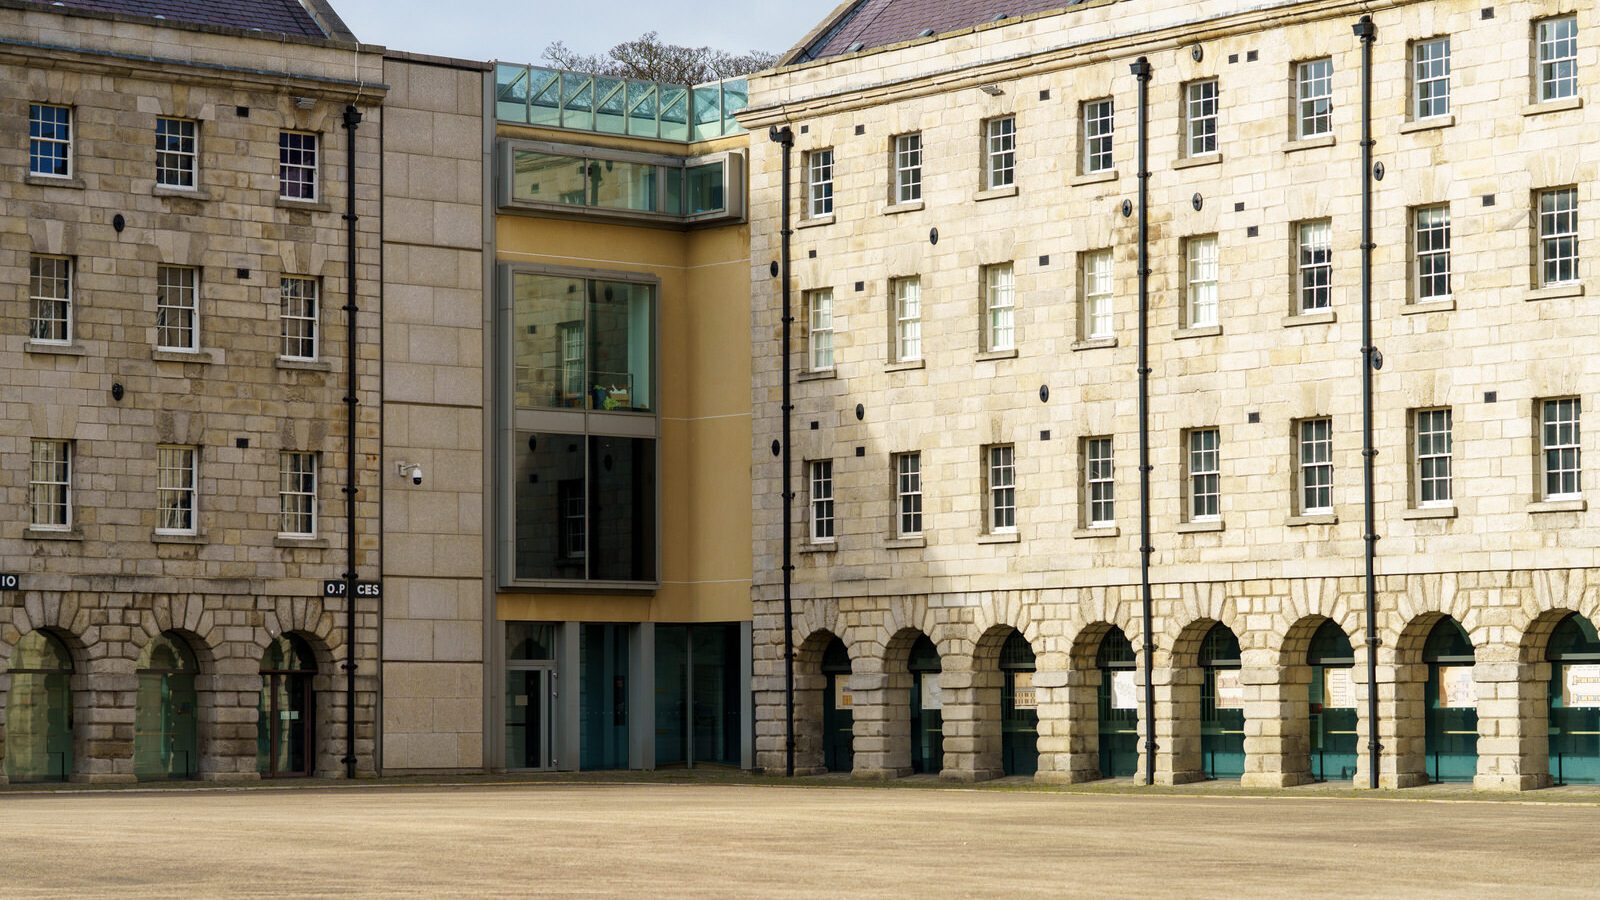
1575, 702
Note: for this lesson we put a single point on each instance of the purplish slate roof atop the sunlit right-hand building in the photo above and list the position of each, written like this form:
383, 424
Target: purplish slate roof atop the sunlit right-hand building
881, 23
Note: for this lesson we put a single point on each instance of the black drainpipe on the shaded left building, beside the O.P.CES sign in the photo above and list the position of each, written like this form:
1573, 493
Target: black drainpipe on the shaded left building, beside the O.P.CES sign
353, 121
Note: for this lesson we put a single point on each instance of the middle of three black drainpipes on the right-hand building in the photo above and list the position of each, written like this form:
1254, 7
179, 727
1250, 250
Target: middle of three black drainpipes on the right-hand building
1142, 71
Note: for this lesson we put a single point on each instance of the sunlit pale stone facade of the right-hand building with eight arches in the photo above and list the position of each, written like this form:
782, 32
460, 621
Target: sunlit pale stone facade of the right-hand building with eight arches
977, 292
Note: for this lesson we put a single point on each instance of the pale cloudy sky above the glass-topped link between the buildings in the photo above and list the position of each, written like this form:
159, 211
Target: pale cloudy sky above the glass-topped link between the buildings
518, 31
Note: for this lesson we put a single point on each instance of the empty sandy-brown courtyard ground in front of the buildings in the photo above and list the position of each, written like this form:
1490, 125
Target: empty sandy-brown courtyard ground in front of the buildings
783, 842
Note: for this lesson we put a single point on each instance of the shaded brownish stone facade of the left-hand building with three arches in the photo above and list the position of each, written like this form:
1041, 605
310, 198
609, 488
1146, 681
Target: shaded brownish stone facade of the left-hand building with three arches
175, 441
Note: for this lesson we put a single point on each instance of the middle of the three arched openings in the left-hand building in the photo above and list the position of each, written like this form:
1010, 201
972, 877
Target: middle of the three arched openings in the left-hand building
166, 721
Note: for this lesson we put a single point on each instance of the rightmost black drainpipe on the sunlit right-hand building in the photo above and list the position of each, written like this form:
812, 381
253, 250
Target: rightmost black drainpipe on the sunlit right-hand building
1370, 363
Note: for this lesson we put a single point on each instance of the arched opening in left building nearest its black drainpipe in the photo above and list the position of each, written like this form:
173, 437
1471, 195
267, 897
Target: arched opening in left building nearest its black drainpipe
287, 725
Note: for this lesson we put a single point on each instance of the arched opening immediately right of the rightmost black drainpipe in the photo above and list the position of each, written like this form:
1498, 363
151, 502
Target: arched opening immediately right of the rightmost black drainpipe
1452, 741
